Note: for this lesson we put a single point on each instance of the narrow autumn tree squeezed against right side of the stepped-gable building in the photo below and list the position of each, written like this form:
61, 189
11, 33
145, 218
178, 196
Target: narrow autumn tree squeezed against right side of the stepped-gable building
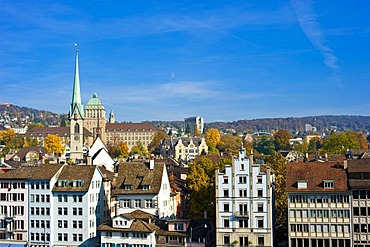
278, 163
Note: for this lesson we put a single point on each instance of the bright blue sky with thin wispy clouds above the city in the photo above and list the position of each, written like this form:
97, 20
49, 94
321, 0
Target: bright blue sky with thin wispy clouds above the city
167, 60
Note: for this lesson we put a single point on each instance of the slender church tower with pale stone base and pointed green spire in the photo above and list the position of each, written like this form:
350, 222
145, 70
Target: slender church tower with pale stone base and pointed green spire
76, 118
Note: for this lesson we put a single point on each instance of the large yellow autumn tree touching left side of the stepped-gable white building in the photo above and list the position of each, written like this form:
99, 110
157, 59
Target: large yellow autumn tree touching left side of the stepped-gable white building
201, 182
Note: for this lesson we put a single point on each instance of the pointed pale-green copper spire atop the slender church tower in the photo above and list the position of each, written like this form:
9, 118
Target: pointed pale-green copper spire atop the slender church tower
76, 104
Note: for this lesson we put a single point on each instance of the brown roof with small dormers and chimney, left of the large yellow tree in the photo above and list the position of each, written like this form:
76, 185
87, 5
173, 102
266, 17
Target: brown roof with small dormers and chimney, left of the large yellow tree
137, 174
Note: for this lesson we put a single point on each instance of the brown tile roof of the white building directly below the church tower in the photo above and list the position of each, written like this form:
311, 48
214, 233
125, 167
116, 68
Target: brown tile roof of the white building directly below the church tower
75, 172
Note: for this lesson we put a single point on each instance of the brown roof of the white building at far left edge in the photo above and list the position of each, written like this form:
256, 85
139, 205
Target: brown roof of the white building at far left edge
41, 172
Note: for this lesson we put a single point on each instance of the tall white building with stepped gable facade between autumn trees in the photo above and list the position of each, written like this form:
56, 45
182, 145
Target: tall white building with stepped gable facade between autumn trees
244, 203
